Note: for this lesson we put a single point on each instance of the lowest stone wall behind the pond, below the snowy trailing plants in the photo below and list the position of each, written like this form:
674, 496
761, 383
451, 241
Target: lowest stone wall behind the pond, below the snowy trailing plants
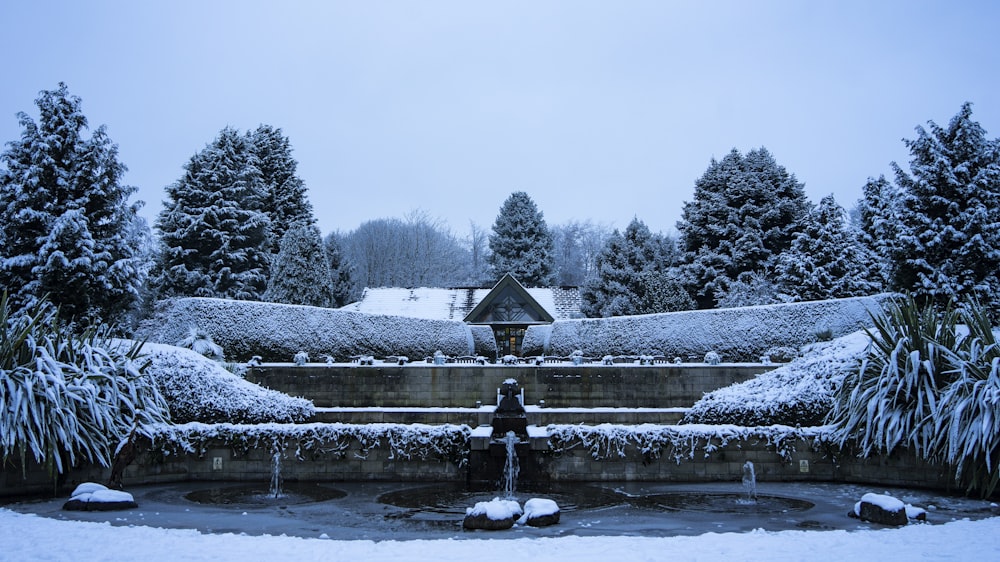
221, 462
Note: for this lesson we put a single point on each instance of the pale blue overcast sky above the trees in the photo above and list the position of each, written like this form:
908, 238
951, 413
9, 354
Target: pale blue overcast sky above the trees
598, 110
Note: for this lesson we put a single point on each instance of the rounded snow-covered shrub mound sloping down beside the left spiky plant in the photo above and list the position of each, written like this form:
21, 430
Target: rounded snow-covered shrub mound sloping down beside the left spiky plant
198, 389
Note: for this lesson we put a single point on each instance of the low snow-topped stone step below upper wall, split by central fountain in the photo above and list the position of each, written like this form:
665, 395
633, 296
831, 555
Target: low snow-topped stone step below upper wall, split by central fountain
483, 415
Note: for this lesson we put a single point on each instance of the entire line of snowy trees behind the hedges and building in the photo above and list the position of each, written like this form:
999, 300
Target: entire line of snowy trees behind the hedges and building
238, 224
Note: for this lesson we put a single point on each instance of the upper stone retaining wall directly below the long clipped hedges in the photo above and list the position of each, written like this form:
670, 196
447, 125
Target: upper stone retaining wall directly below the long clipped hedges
560, 386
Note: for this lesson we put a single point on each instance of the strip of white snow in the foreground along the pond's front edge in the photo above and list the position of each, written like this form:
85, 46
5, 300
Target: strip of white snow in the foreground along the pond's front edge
29, 537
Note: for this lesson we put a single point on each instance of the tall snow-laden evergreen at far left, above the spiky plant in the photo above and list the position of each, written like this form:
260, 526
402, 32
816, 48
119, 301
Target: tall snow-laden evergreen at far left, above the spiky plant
65, 218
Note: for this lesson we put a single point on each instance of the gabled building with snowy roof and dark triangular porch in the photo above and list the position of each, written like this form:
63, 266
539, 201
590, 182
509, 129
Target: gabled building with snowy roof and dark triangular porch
508, 308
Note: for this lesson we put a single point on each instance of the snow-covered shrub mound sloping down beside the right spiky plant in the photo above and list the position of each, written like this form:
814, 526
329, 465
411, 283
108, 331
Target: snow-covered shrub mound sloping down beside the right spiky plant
799, 393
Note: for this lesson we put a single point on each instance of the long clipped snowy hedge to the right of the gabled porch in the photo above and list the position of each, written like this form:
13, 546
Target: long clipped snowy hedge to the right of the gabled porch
736, 334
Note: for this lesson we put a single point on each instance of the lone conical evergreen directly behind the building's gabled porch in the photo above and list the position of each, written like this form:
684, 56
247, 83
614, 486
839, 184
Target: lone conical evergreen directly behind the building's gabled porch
521, 243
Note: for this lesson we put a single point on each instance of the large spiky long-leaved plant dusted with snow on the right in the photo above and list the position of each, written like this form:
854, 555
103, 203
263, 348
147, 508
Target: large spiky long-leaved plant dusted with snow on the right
931, 385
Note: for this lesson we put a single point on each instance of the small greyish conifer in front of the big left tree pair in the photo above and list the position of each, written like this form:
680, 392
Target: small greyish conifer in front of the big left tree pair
300, 273
